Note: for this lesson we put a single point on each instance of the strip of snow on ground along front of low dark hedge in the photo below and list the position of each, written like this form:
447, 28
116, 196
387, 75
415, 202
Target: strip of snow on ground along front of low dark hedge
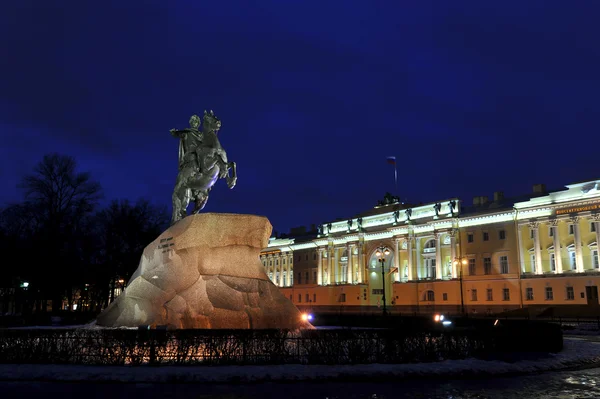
577, 353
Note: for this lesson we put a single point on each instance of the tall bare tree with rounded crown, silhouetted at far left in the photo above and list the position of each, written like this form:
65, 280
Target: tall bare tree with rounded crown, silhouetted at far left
58, 203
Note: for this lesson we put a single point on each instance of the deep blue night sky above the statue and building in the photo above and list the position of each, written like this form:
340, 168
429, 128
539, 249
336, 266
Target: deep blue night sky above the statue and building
471, 97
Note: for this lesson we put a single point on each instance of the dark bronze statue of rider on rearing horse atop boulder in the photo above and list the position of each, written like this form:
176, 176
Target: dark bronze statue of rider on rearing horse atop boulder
202, 161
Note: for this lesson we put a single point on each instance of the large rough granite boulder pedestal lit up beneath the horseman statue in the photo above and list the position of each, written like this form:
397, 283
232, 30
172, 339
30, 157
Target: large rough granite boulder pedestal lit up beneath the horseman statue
205, 272
